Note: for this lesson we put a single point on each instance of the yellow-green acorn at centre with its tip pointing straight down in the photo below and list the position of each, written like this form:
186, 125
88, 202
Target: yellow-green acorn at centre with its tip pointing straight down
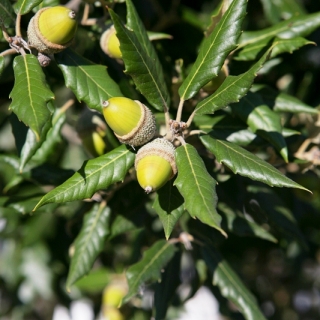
155, 164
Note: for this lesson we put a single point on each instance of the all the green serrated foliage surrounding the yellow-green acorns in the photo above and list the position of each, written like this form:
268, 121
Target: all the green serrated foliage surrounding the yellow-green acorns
240, 217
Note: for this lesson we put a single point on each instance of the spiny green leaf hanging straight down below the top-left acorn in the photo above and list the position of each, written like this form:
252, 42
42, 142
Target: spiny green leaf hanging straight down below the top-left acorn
30, 93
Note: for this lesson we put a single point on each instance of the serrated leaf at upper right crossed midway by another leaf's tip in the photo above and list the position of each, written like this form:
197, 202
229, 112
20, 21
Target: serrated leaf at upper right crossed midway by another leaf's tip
252, 51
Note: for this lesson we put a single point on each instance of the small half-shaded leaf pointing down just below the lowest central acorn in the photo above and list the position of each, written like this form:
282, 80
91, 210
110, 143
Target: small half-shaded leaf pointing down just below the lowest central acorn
169, 206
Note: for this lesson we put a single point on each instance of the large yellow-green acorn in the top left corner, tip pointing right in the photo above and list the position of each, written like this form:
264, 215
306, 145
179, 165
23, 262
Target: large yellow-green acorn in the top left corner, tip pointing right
52, 29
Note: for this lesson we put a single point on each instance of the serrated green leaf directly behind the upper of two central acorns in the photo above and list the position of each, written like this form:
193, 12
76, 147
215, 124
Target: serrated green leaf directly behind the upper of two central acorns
88, 81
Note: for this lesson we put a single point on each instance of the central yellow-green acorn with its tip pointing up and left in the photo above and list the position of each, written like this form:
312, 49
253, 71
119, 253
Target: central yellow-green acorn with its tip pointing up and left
131, 121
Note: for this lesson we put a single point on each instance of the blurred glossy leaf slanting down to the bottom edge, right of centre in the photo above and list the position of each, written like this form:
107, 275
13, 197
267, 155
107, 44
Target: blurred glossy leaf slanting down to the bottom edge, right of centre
231, 286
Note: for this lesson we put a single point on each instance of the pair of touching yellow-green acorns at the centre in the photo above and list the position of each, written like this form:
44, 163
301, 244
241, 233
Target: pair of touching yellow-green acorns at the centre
134, 124
